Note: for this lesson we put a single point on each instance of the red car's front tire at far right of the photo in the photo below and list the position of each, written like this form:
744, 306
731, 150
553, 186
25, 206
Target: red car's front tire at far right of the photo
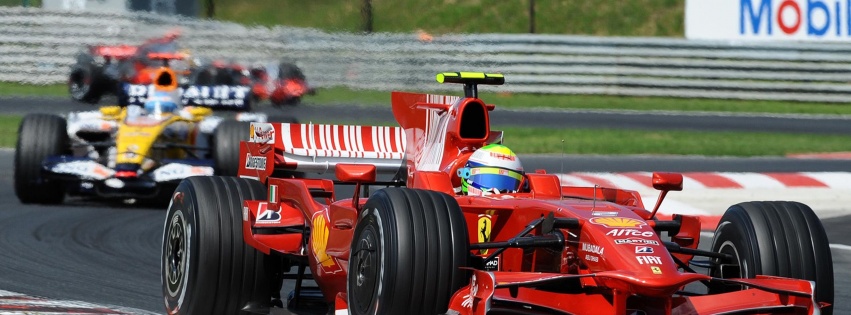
776, 238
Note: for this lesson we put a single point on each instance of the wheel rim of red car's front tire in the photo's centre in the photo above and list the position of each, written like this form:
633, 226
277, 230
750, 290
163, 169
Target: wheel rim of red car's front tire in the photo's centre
365, 270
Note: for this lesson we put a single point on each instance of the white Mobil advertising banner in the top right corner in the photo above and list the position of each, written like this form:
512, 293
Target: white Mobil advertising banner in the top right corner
781, 20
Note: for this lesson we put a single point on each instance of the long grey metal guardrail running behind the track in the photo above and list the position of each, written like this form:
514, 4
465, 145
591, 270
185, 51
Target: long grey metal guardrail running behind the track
38, 46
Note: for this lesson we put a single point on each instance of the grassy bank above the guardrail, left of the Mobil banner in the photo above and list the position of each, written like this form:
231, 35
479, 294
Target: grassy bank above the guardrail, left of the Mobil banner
604, 18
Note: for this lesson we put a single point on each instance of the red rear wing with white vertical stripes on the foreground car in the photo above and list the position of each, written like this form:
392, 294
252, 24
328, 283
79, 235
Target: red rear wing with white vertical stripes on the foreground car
319, 148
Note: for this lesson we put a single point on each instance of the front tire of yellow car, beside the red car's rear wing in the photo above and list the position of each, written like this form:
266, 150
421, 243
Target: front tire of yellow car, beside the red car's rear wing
225, 146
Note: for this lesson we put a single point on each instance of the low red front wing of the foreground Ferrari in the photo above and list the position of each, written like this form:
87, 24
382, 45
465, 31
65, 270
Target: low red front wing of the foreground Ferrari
615, 292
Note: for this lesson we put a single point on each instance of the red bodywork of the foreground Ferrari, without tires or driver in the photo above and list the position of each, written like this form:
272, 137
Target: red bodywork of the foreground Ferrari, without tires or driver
615, 258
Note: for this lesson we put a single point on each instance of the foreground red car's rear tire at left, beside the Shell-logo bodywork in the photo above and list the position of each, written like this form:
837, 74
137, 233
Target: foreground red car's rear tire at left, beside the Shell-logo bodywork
206, 266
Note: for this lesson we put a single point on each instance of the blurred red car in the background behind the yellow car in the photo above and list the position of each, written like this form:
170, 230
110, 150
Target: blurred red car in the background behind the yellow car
105, 70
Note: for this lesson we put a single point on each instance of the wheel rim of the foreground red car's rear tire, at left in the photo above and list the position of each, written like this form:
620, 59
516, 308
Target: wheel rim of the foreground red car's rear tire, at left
176, 253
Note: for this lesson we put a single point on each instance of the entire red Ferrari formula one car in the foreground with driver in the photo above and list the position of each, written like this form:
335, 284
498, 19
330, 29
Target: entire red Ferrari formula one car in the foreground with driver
459, 228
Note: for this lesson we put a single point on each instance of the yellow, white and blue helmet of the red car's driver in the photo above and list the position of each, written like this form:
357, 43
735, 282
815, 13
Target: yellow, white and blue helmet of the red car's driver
492, 169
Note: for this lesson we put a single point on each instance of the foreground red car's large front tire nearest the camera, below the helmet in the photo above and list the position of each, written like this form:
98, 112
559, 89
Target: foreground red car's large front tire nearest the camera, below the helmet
407, 251
